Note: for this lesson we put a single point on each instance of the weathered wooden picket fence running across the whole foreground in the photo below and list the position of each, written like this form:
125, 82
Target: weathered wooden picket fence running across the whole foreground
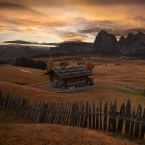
80, 114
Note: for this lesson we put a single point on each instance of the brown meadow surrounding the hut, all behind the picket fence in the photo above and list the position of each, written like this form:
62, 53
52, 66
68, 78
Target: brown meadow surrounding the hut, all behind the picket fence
106, 92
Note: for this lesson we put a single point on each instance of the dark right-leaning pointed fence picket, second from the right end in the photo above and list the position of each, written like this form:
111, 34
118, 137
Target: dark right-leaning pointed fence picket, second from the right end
137, 124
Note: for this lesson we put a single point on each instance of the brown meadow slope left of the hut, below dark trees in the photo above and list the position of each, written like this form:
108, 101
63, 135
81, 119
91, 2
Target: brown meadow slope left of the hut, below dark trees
13, 74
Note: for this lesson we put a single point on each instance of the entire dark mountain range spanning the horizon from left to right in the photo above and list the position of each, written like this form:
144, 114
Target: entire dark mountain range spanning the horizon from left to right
105, 44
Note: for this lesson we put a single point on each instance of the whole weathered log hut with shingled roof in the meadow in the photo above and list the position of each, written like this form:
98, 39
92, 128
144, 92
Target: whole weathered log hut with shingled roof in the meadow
66, 77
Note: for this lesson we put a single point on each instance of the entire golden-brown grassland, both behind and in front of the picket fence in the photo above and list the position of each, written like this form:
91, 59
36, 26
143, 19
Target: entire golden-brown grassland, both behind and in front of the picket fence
129, 72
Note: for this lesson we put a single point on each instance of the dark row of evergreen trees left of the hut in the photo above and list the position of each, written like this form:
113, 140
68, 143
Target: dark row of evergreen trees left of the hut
28, 62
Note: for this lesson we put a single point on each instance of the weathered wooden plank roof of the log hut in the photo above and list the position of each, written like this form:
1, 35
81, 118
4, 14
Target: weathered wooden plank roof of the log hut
70, 72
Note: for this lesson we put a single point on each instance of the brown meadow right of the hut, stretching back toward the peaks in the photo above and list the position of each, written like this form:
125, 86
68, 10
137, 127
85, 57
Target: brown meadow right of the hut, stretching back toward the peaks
124, 70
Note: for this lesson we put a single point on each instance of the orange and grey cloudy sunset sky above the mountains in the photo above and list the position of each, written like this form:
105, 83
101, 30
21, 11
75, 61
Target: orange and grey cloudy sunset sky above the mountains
62, 20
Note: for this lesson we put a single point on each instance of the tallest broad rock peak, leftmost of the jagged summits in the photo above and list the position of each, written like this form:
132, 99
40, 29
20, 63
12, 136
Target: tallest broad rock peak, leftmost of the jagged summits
105, 43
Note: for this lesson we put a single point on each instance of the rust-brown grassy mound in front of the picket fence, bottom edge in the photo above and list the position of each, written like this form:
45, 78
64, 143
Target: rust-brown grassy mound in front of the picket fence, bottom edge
44, 134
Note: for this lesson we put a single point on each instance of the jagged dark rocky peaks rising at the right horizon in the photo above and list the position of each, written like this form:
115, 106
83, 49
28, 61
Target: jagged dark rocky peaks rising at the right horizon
106, 43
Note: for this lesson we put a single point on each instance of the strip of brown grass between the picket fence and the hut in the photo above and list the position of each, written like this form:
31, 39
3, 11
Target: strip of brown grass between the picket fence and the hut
103, 91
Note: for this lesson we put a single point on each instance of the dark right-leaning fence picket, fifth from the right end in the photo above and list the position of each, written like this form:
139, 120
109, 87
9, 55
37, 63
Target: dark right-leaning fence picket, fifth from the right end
120, 122
